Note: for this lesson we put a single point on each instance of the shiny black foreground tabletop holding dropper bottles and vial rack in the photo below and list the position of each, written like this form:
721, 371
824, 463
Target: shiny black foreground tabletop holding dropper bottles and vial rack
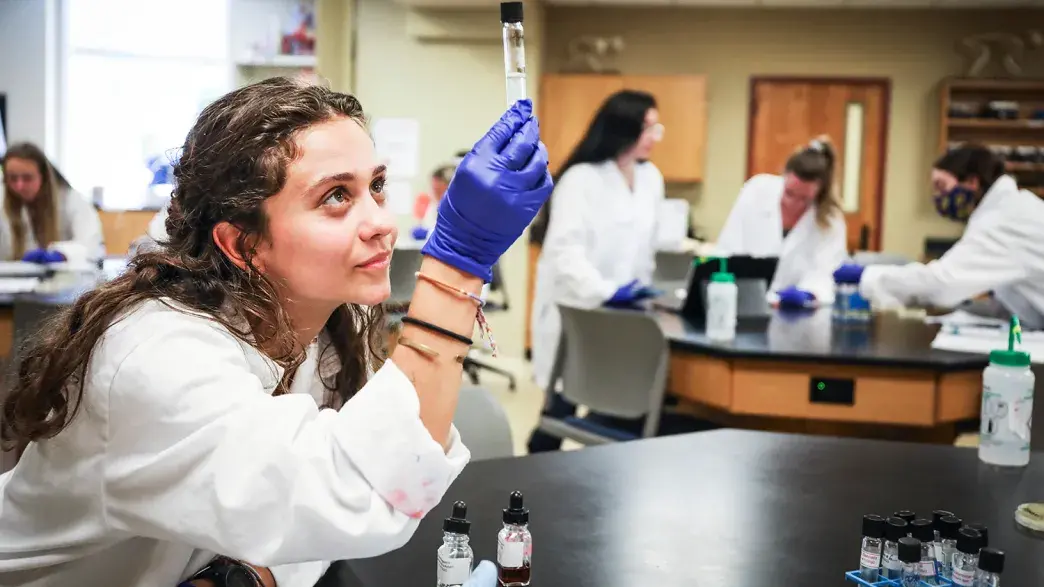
721, 509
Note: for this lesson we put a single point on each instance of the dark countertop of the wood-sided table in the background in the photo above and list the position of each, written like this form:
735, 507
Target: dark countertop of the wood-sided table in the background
889, 341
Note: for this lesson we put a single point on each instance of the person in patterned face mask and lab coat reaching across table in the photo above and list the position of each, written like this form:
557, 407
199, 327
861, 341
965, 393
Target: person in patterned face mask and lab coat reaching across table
1002, 250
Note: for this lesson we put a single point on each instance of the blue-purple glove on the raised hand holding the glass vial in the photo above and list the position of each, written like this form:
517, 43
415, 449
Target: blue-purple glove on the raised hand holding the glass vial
496, 193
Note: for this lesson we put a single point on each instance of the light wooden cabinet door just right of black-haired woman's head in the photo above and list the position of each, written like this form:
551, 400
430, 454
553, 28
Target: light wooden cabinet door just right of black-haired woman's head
682, 103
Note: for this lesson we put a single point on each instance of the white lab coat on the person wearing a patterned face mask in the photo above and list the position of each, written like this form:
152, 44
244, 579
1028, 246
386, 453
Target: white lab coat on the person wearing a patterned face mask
1003, 250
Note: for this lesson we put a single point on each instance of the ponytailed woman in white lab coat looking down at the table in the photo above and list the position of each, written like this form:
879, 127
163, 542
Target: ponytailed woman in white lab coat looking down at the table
797, 219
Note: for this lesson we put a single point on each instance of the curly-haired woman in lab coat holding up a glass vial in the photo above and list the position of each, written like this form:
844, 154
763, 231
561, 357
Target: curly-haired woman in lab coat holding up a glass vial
223, 406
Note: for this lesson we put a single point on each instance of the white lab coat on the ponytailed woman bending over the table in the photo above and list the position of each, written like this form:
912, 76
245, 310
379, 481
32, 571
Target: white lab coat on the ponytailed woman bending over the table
809, 255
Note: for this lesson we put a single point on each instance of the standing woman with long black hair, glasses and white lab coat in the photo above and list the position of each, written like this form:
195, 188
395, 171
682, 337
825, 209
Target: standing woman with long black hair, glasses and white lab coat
600, 245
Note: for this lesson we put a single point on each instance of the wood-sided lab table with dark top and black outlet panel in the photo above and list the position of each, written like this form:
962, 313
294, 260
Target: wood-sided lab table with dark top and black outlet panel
801, 372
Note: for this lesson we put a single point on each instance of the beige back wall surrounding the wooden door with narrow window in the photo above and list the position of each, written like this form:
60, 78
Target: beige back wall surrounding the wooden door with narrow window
915, 49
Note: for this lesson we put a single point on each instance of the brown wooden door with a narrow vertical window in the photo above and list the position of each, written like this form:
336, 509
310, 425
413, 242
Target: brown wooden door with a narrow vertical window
787, 113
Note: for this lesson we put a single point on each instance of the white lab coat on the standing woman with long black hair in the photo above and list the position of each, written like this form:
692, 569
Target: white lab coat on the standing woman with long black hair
602, 236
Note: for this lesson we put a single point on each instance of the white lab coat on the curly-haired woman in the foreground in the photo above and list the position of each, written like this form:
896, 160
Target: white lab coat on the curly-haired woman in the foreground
180, 452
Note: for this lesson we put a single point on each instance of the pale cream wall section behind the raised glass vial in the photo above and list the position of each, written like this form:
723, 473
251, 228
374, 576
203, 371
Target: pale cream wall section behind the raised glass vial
457, 90
